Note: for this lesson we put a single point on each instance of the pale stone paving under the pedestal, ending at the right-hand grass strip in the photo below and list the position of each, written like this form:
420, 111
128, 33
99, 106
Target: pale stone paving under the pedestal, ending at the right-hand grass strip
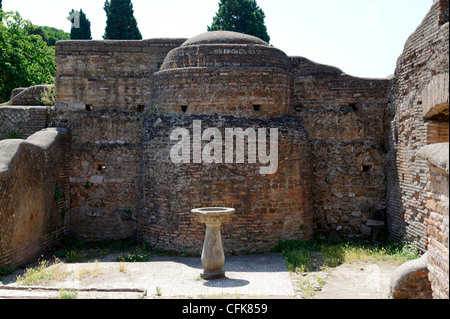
172, 277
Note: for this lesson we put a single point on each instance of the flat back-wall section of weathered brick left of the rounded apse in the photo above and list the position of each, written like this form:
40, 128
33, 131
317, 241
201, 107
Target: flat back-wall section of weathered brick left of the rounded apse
102, 88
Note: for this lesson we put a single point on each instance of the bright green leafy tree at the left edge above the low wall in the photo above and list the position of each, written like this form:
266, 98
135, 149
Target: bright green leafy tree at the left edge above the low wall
25, 59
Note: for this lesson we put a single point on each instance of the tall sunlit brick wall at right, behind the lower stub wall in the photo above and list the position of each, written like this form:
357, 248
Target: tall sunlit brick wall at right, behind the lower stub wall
417, 87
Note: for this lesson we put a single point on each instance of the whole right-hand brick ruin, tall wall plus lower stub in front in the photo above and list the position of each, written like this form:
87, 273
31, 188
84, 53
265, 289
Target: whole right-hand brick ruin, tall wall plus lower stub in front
417, 159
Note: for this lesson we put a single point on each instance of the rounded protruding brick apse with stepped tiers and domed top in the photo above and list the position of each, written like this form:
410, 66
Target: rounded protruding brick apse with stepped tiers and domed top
229, 81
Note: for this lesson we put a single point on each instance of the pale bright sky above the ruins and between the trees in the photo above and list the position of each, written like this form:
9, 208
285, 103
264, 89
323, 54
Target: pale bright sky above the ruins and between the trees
361, 37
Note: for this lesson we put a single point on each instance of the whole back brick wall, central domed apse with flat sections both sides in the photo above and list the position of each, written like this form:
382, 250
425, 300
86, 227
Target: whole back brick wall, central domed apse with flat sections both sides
124, 99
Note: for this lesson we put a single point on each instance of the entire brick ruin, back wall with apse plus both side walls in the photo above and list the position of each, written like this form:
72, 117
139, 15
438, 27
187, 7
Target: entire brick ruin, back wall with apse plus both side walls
350, 149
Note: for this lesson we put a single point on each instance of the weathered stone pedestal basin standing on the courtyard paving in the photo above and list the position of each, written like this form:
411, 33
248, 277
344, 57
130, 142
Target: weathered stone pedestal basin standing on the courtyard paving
213, 256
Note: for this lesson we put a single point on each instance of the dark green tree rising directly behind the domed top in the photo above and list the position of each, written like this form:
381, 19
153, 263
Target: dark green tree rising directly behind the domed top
242, 16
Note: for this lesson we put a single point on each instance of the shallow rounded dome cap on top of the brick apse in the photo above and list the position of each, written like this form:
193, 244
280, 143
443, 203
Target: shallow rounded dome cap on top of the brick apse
219, 37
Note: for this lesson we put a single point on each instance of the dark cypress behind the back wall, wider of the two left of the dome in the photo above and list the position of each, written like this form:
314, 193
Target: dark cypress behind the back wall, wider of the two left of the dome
120, 21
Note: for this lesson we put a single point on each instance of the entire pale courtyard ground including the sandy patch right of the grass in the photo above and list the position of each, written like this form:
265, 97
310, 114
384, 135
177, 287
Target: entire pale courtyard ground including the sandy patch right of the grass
254, 276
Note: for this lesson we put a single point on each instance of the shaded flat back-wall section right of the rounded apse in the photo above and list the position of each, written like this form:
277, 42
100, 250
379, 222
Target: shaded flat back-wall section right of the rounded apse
345, 118
